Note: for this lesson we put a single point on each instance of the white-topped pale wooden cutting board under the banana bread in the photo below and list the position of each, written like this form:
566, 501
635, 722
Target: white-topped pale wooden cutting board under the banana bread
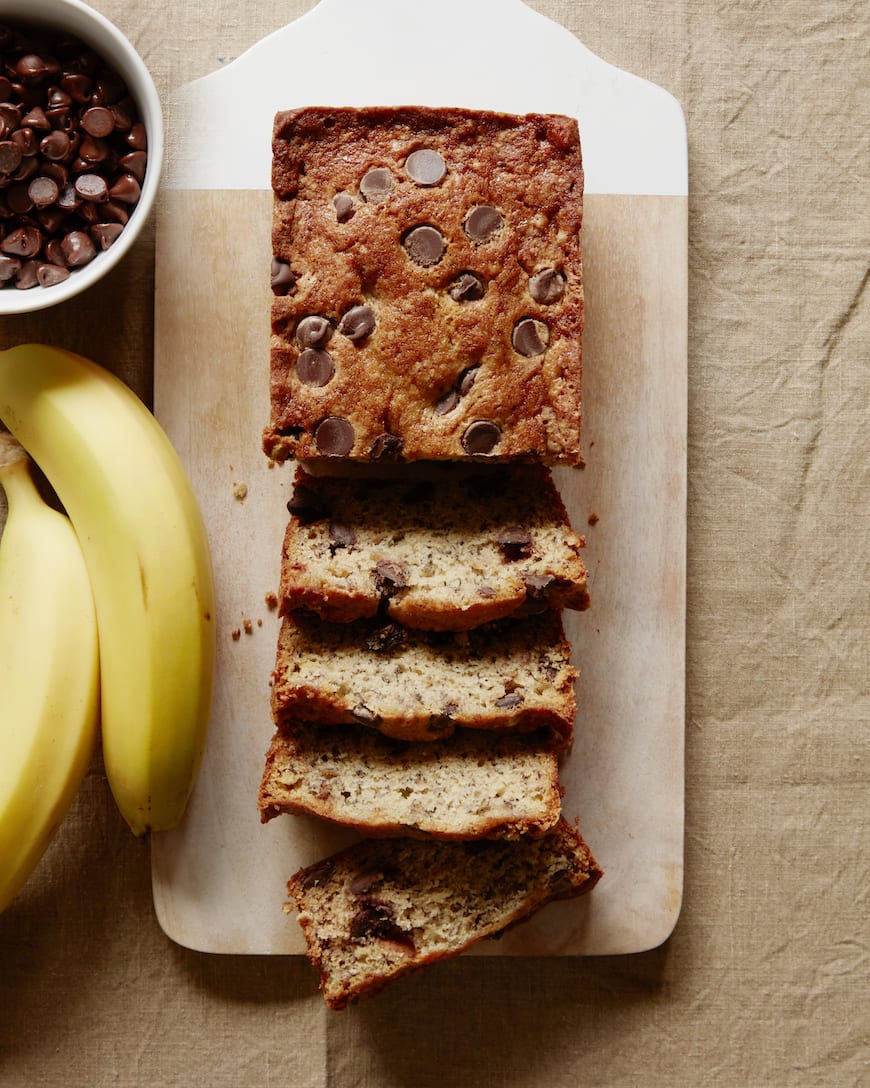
219, 880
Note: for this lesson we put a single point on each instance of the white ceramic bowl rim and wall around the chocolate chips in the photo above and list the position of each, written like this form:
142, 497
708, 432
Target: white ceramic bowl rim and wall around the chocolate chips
78, 19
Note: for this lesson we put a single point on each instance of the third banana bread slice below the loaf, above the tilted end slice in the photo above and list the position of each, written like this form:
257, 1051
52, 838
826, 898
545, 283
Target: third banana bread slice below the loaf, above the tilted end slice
469, 786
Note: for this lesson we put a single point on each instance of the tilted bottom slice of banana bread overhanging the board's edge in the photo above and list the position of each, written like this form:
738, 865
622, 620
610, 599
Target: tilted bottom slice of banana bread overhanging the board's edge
384, 908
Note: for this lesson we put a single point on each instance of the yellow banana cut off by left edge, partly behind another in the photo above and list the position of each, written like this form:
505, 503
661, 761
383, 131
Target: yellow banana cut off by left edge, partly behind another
49, 672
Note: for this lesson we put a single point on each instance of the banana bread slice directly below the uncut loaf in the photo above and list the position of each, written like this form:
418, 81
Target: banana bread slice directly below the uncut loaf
465, 547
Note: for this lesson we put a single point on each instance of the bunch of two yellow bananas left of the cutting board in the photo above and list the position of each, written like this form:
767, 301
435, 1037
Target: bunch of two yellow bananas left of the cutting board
105, 617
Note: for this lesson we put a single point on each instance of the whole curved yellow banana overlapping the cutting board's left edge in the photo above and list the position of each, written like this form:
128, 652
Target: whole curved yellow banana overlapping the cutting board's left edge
147, 553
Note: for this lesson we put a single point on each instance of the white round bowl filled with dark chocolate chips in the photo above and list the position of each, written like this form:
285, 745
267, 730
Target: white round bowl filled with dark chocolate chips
81, 151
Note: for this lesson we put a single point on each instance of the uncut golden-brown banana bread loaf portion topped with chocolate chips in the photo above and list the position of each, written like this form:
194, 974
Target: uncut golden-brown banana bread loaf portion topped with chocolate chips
438, 366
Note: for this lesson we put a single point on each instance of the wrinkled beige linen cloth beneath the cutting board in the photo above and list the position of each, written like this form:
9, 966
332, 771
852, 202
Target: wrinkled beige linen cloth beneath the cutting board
765, 980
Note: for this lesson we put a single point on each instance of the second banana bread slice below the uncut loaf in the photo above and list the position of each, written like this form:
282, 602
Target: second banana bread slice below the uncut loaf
513, 675
